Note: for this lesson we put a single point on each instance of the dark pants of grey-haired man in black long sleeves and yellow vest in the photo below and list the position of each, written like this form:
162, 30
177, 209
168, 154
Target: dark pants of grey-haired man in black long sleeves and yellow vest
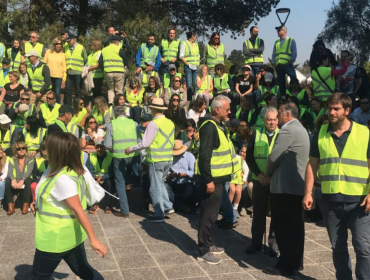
208, 216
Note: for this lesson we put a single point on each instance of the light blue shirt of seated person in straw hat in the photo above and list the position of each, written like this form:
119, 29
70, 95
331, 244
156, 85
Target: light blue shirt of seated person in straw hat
184, 163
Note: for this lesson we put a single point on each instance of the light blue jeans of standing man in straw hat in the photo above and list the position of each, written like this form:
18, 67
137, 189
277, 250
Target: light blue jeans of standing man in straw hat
158, 192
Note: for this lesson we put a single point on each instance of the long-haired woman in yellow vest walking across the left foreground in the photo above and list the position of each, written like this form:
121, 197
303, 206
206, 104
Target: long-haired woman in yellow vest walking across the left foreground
61, 223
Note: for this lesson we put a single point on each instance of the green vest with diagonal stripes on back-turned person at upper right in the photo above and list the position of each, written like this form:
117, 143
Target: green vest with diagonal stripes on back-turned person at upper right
320, 90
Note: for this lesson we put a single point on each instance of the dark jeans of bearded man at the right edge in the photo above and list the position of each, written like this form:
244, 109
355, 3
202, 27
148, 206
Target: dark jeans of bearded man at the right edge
338, 217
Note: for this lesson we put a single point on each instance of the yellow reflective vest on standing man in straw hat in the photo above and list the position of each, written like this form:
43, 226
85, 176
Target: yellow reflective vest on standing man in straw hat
162, 145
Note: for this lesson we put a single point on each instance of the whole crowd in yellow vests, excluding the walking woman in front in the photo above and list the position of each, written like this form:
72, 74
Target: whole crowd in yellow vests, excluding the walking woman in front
198, 141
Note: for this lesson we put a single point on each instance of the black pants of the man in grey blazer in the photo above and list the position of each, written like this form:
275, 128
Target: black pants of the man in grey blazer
287, 220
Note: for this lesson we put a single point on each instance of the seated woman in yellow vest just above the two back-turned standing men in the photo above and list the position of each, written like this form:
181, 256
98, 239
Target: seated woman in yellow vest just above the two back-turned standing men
134, 97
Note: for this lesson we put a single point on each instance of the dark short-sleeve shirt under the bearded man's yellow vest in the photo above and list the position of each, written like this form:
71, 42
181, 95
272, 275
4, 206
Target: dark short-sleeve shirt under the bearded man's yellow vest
339, 142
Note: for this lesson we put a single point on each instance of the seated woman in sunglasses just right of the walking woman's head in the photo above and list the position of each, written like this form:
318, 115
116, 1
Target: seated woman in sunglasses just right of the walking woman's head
91, 134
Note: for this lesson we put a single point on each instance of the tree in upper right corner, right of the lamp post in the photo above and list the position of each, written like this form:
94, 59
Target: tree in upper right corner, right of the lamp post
348, 26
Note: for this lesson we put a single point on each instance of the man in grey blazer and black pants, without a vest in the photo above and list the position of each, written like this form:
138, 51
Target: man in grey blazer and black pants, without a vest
286, 166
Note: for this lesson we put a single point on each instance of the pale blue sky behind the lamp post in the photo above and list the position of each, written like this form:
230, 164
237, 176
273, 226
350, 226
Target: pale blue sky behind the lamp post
306, 20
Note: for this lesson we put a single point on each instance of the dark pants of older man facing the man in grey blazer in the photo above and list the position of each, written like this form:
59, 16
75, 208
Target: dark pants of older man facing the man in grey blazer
260, 199
